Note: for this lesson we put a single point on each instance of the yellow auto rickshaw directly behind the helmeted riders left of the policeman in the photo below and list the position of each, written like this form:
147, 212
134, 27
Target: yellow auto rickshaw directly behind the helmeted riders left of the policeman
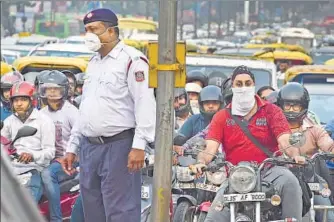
31, 66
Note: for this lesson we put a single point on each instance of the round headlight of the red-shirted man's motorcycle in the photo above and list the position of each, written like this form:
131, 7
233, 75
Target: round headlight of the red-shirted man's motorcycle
242, 179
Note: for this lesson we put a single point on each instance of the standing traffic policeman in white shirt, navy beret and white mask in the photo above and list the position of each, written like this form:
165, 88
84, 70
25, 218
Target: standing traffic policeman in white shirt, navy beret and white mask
117, 120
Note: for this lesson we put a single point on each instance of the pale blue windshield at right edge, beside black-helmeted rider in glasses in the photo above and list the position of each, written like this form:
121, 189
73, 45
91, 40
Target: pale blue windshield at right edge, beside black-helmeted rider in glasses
322, 105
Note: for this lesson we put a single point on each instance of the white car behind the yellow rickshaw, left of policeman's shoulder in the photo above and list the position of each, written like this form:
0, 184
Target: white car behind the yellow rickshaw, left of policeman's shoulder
62, 50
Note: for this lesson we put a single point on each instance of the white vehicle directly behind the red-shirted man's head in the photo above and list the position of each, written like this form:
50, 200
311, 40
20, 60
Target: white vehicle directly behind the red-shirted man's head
264, 71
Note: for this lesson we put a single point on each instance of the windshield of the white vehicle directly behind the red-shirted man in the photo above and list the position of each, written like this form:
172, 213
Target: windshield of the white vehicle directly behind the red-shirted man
262, 77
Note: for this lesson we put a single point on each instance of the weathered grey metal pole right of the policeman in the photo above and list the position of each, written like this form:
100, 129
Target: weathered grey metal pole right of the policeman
165, 112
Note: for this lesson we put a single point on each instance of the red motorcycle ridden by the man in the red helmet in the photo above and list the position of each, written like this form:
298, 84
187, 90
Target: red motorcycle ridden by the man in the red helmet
69, 189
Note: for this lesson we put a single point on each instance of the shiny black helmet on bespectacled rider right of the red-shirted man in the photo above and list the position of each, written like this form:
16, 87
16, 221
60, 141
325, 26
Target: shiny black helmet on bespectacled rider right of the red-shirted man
297, 94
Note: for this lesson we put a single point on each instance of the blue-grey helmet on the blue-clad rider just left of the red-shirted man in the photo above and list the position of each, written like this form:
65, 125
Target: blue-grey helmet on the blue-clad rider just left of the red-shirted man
210, 93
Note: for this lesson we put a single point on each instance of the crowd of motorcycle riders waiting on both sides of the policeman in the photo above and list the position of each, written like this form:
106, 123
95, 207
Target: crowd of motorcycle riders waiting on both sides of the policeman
205, 108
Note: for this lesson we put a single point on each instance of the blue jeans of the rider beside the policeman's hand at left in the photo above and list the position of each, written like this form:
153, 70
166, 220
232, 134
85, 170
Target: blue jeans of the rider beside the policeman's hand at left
51, 177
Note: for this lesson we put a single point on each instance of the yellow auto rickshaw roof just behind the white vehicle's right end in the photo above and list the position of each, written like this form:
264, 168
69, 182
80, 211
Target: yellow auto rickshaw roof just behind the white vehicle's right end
294, 57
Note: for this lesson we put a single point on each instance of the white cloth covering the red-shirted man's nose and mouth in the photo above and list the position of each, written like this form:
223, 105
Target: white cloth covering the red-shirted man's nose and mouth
243, 100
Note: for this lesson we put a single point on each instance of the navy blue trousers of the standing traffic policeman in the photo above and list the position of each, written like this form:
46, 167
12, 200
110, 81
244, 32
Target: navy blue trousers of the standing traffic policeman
110, 193
